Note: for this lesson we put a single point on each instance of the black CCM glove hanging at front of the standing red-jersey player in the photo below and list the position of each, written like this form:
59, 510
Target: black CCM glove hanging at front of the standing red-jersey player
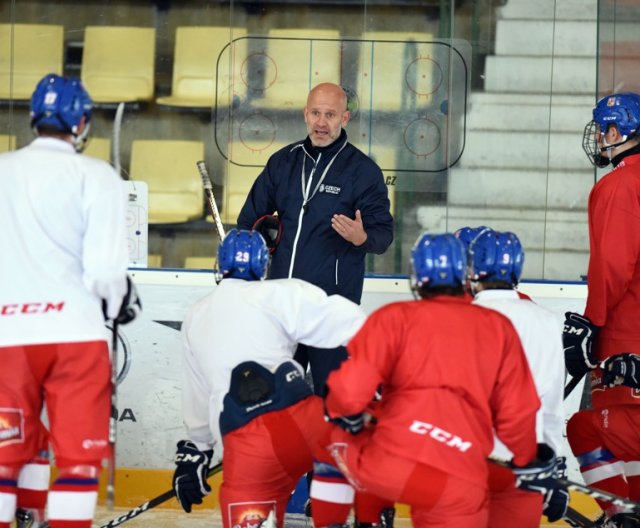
578, 338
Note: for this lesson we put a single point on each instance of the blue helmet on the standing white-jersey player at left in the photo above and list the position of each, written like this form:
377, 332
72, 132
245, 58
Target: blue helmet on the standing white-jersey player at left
60, 103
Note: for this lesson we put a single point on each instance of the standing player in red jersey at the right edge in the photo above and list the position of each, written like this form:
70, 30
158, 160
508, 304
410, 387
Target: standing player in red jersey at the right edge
606, 438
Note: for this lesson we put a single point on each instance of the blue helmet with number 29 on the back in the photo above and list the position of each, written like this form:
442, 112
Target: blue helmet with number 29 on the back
243, 255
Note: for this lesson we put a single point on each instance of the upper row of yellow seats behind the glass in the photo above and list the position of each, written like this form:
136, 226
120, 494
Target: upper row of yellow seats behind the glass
220, 65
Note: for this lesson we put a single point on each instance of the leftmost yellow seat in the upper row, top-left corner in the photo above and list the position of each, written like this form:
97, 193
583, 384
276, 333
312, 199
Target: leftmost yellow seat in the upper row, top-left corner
27, 53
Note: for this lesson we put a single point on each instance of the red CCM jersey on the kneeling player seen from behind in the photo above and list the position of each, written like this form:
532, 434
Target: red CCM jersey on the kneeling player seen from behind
451, 372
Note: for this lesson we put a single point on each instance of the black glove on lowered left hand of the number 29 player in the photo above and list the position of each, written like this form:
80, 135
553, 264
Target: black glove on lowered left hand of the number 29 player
190, 476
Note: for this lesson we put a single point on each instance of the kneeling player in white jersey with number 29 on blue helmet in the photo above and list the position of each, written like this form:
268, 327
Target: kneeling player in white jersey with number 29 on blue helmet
243, 391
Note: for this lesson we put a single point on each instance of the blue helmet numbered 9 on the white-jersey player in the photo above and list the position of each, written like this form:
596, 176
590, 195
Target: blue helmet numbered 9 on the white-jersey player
495, 256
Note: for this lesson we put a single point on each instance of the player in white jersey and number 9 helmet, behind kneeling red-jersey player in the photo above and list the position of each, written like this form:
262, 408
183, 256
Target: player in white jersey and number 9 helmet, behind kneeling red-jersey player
495, 267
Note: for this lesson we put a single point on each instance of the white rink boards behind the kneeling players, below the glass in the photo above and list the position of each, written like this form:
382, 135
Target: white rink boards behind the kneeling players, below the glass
149, 395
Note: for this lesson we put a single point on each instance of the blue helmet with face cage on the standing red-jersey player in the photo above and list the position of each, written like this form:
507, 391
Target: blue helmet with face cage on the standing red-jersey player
621, 110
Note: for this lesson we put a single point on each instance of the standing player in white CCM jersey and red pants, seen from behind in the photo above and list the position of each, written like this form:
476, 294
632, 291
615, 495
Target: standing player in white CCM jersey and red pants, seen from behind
64, 268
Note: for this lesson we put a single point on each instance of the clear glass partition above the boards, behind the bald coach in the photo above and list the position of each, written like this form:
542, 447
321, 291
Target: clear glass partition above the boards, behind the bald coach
474, 109
